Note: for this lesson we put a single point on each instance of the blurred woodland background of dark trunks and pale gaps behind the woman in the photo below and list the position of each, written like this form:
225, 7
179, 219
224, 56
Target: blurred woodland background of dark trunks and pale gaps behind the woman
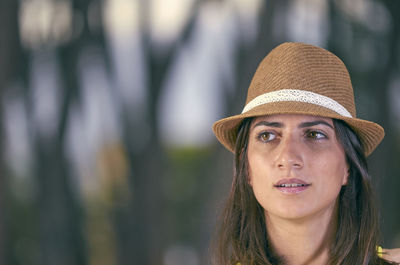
106, 106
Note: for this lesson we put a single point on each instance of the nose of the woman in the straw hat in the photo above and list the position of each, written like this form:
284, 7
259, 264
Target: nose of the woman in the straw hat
288, 154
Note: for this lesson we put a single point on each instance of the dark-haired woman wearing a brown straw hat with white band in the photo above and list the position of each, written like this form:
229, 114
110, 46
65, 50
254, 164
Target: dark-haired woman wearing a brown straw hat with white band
301, 193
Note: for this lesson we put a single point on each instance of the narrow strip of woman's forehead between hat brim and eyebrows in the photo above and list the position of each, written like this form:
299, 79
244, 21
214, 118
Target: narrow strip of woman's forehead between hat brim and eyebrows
292, 118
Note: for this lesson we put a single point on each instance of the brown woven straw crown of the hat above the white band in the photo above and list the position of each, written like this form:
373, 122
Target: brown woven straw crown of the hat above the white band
299, 66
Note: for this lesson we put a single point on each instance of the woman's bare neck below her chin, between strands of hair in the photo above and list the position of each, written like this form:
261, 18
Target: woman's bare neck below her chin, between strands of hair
304, 241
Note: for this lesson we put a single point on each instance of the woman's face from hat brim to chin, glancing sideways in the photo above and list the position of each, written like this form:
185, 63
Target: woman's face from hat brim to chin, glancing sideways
296, 165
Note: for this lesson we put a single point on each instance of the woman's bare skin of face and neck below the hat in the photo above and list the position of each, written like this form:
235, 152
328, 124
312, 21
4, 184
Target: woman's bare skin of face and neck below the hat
287, 148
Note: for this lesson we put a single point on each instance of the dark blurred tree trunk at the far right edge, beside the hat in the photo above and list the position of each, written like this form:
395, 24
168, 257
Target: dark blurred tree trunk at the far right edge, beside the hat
389, 152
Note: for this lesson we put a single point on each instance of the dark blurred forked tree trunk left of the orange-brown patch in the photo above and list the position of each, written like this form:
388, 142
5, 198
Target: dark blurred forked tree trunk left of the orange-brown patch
60, 216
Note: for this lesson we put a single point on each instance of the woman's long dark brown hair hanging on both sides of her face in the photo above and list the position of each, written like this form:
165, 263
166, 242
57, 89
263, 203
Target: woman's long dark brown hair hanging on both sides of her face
242, 234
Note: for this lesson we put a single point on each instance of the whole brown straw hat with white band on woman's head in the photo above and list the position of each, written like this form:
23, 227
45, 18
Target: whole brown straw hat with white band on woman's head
300, 78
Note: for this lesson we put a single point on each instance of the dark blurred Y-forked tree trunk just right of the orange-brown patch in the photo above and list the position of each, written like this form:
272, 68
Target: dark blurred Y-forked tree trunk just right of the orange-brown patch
148, 165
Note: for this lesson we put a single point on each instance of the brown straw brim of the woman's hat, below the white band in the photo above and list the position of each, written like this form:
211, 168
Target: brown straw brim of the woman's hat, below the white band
370, 133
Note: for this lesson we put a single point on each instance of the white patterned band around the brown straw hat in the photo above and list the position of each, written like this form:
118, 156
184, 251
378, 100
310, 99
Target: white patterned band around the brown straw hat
298, 96
